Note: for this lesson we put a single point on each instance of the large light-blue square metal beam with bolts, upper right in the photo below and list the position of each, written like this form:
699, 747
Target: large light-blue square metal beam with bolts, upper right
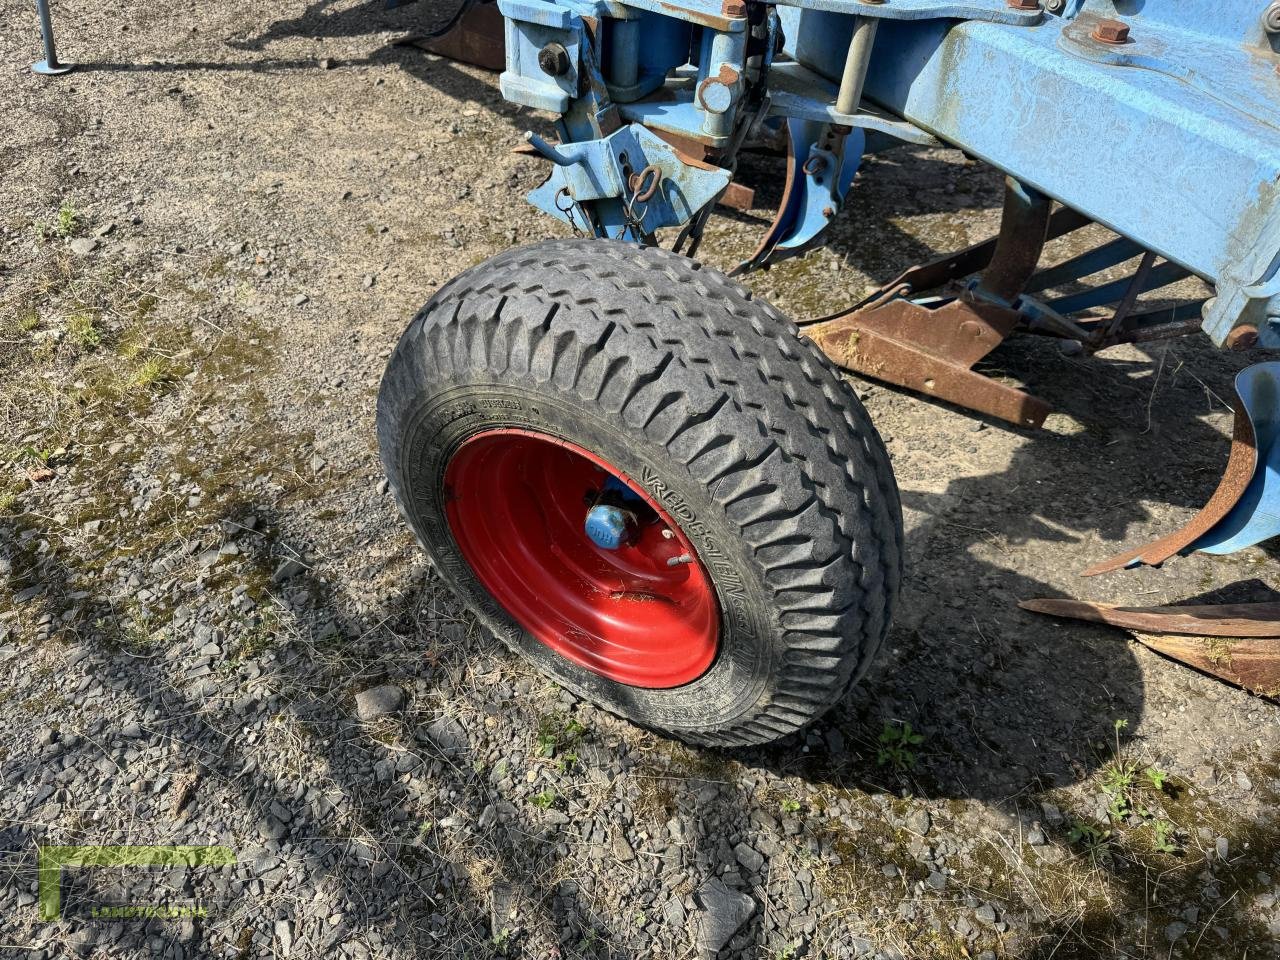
1187, 168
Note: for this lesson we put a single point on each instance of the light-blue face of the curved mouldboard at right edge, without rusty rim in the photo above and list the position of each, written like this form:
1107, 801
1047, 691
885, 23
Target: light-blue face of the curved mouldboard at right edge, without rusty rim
1256, 516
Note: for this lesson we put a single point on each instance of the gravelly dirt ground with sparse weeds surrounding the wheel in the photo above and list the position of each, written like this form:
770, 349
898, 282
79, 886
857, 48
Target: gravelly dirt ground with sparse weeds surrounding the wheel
211, 237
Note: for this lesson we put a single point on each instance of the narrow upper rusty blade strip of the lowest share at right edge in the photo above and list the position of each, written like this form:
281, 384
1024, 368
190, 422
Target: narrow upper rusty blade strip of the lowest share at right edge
1256, 620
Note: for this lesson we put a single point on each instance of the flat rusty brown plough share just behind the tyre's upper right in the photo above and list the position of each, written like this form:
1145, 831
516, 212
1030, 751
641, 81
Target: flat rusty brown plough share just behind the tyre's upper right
931, 351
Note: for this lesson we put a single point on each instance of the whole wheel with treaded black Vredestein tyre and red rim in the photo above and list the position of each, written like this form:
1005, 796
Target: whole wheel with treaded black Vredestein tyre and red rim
762, 546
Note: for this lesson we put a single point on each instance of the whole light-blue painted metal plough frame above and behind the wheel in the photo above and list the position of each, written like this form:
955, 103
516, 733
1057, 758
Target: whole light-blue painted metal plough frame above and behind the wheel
1171, 139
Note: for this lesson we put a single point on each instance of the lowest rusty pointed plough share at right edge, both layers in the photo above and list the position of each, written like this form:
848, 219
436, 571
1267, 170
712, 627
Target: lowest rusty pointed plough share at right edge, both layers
1238, 643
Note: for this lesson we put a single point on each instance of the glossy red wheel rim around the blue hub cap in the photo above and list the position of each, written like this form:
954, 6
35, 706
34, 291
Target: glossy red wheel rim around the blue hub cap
516, 505
